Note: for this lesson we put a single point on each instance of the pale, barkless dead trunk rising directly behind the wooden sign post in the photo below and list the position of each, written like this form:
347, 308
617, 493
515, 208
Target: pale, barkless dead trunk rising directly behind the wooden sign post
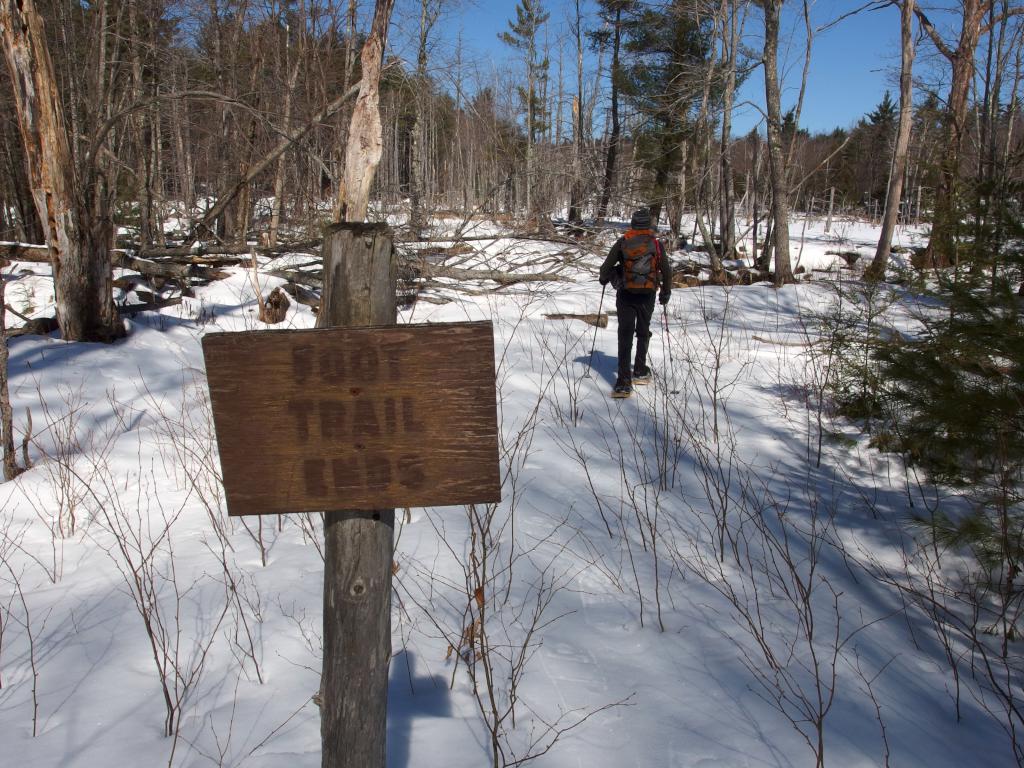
363, 153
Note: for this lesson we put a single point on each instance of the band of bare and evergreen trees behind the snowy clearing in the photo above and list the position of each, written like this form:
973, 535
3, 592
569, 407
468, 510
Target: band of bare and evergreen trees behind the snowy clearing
229, 118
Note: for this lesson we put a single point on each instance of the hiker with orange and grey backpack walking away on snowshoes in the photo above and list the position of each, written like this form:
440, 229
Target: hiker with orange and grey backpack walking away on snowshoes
636, 267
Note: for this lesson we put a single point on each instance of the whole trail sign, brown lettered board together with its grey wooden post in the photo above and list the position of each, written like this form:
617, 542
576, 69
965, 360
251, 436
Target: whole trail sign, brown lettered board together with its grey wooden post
356, 419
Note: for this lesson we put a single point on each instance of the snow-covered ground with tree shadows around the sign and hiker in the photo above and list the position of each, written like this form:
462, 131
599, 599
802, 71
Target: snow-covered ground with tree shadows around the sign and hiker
674, 573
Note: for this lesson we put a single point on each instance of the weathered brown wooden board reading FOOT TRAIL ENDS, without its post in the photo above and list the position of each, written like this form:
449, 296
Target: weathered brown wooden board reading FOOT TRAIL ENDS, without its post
356, 418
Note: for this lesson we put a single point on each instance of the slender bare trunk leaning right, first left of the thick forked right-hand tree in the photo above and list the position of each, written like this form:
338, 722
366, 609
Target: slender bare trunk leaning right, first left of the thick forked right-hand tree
877, 271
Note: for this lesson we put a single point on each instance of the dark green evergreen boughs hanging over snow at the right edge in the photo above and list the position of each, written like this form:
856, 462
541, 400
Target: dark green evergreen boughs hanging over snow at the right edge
956, 398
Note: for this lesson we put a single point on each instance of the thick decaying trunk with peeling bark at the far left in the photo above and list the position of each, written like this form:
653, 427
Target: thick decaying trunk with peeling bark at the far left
76, 223
